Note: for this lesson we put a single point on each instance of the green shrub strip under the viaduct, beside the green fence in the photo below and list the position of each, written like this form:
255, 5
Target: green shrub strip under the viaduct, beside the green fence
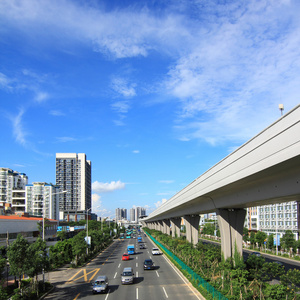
234, 278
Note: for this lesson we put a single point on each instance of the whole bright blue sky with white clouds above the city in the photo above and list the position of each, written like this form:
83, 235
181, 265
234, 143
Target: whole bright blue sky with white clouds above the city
154, 92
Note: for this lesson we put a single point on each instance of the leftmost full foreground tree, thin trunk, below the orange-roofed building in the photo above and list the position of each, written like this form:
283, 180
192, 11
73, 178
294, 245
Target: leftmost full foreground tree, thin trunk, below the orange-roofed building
17, 257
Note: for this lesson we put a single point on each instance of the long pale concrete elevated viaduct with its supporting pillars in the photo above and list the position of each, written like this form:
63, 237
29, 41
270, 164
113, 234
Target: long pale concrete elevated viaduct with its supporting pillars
264, 170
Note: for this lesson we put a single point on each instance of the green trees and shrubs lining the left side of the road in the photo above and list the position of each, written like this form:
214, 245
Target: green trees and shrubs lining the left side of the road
33, 259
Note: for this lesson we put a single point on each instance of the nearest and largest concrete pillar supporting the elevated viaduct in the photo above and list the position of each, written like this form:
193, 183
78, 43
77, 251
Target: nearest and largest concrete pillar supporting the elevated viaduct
231, 223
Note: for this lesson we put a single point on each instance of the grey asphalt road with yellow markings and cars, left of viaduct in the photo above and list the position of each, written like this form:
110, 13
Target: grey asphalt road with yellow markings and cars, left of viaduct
164, 282
